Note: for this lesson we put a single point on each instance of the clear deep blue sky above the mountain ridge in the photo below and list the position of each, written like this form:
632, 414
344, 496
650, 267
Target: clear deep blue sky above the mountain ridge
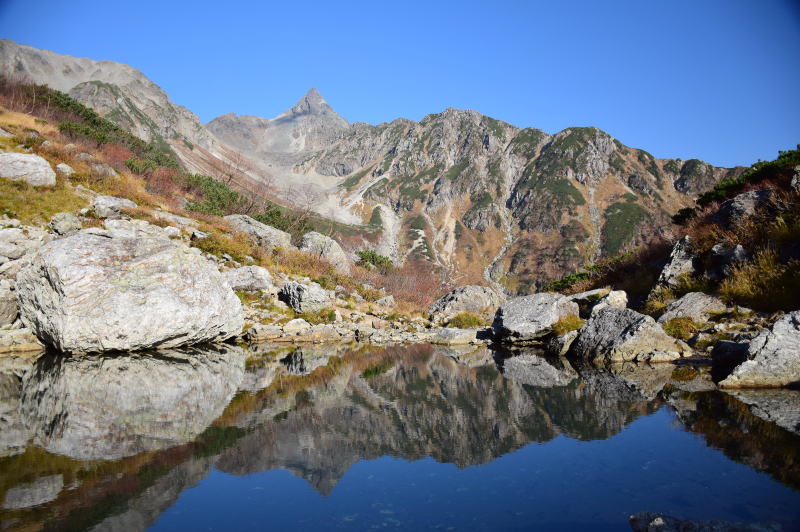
713, 79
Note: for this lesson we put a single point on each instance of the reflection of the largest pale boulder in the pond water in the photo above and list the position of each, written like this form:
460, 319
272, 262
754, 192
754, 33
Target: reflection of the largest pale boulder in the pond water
98, 407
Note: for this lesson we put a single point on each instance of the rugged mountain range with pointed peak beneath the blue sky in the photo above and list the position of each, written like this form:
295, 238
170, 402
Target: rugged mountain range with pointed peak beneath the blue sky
485, 200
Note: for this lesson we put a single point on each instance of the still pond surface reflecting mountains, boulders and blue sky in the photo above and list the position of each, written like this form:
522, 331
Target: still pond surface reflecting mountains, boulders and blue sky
98, 442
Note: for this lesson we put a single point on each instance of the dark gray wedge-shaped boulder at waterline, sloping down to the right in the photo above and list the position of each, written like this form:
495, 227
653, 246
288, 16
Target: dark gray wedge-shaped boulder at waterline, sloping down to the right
621, 335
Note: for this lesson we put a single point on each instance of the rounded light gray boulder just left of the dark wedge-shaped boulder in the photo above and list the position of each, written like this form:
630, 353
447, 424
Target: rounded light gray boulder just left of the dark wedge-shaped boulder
530, 317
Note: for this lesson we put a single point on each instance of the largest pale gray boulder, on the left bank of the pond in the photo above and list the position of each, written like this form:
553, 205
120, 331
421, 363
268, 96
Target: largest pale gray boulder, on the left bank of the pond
124, 289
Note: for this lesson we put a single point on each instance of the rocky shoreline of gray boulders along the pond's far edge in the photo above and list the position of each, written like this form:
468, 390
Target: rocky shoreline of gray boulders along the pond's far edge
124, 285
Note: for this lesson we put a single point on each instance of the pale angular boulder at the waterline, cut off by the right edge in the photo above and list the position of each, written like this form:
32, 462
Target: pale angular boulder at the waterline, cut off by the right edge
773, 357
